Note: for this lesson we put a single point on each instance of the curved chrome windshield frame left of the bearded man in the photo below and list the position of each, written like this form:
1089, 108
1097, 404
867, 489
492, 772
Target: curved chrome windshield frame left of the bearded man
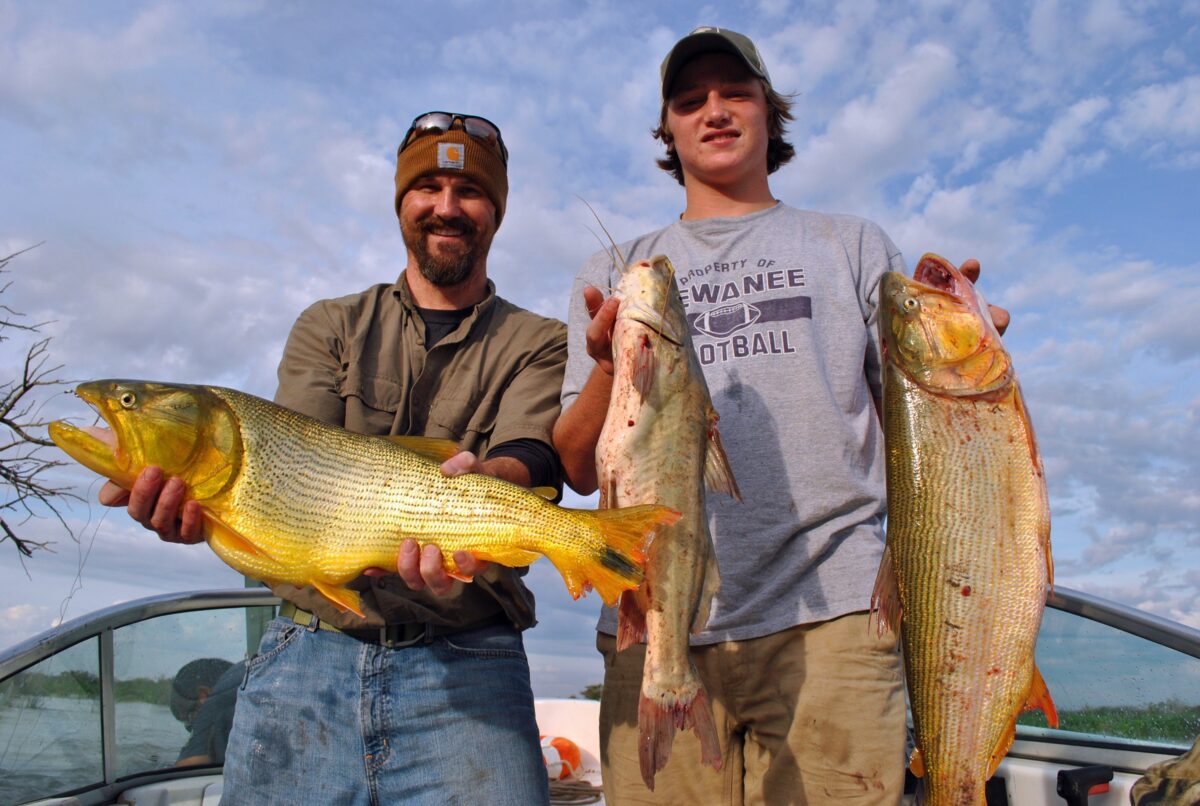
39, 648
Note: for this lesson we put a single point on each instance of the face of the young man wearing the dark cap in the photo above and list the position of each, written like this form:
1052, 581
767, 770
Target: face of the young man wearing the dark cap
718, 118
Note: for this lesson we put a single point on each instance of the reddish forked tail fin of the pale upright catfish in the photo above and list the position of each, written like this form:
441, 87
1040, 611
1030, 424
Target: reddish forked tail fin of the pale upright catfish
661, 715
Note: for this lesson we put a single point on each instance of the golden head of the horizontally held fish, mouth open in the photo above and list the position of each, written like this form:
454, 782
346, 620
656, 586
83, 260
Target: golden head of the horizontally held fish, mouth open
188, 431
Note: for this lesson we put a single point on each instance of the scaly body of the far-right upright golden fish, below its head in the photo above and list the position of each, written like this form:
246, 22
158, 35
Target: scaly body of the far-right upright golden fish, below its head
967, 525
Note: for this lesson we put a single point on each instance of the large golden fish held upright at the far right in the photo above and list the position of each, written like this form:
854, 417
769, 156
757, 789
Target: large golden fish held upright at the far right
968, 563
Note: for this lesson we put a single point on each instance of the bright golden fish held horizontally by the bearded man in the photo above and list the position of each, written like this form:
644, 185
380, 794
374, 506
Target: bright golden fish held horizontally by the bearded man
287, 498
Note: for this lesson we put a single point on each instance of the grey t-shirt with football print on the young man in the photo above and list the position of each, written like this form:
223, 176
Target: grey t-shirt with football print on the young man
783, 312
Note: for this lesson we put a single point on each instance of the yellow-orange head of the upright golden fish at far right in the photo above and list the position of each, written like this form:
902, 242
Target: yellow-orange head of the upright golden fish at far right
937, 329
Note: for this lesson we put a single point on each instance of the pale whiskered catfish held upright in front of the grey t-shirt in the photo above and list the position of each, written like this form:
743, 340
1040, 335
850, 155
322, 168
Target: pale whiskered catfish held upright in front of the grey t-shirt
659, 446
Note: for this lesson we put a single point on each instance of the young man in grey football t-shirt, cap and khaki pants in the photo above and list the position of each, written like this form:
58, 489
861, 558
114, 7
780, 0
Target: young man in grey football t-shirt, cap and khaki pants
808, 703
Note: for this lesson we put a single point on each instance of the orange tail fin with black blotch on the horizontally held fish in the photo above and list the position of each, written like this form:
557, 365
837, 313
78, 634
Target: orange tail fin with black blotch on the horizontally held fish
619, 564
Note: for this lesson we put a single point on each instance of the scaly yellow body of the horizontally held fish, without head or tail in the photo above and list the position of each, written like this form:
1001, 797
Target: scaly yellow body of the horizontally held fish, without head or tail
325, 503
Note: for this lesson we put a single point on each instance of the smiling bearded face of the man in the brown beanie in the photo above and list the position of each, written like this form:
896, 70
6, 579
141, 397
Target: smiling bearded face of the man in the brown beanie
448, 224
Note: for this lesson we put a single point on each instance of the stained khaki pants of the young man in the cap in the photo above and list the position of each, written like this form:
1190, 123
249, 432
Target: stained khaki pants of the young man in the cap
809, 715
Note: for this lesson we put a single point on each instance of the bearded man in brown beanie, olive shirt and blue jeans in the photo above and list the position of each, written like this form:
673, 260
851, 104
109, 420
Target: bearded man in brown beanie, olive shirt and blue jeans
427, 700
